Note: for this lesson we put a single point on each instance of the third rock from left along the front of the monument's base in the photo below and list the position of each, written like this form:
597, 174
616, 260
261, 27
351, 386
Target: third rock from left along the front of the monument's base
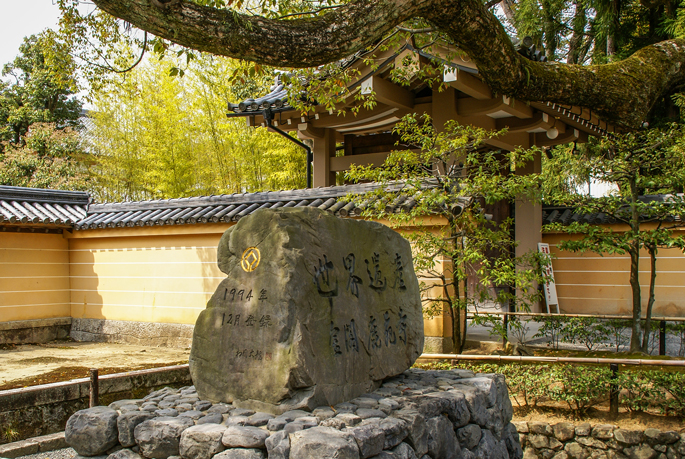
159, 438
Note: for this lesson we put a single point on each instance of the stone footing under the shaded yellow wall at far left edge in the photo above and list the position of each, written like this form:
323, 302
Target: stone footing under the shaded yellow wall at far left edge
34, 331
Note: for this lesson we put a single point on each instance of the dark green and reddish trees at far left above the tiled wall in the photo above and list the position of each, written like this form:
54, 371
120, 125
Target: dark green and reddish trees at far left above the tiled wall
39, 119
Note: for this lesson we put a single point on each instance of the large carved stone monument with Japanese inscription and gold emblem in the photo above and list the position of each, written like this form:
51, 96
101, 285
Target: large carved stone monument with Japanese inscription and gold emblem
315, 310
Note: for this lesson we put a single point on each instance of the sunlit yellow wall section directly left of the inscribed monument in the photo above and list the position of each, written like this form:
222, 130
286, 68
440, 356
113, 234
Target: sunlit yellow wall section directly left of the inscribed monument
150, 274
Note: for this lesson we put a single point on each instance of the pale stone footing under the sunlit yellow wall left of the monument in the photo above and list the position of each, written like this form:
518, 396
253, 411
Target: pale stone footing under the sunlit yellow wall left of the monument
128, 332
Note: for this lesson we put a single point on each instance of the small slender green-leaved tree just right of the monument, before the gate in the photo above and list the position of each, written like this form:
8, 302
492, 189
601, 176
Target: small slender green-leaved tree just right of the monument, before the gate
449, 180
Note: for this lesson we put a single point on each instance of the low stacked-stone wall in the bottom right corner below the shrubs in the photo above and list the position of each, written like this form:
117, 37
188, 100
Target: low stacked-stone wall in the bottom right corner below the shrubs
605, 441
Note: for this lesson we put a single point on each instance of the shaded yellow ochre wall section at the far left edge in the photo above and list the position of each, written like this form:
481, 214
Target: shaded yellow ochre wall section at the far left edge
34, 276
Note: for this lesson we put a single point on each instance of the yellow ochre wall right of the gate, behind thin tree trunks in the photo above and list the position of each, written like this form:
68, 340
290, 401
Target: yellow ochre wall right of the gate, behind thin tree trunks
591, 284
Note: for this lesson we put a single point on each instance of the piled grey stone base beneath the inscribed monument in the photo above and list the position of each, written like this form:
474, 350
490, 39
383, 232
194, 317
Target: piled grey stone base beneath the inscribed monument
415, 415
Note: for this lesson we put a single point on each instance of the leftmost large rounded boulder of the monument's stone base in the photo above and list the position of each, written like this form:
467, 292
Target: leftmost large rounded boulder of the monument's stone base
93, 431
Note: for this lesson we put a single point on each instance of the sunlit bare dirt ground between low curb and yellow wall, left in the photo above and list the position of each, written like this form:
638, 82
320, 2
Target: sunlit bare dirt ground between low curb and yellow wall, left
28, 365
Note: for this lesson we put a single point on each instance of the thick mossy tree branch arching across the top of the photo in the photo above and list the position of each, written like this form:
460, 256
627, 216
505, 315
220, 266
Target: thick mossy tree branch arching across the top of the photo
622, 92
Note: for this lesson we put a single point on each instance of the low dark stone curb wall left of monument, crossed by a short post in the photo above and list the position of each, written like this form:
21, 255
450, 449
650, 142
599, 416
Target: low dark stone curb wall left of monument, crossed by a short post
44, 409
